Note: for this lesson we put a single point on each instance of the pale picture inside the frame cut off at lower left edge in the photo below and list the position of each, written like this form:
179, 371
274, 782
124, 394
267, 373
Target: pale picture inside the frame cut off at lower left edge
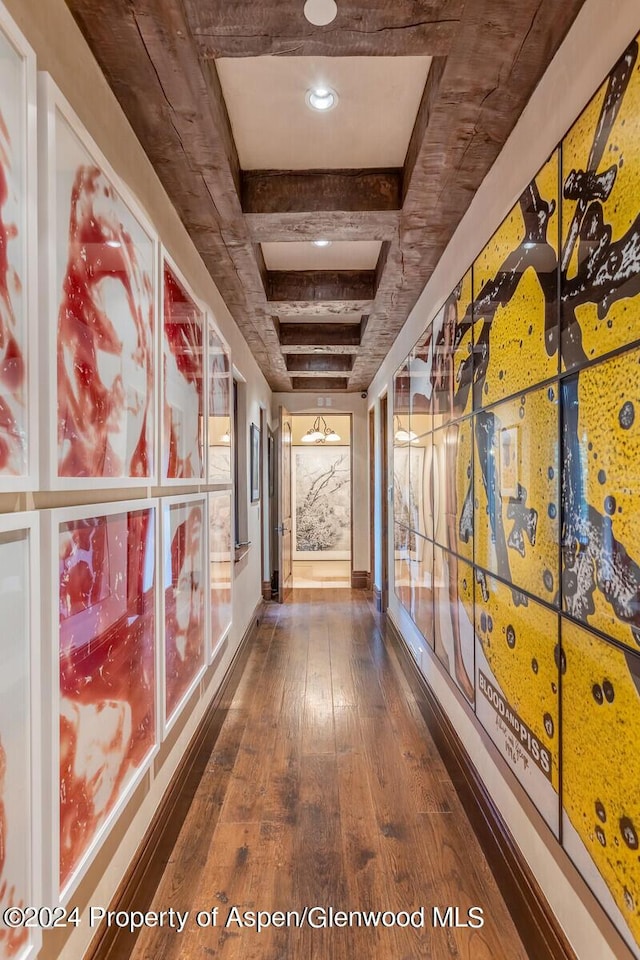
16, 798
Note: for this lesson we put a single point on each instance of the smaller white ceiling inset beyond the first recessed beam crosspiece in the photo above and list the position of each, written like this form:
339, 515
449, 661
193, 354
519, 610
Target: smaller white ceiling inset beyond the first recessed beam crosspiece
341, 255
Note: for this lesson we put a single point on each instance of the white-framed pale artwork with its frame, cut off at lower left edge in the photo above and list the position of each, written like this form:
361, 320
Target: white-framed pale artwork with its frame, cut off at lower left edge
20, 841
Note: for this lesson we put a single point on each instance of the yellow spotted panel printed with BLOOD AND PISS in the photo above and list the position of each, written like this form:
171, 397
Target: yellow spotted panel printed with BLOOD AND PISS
517, 683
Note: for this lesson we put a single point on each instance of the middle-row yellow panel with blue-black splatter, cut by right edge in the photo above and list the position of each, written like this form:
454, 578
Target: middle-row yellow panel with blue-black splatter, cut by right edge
601, 480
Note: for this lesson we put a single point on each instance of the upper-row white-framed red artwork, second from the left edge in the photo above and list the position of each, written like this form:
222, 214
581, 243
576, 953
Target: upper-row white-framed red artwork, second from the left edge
99, 310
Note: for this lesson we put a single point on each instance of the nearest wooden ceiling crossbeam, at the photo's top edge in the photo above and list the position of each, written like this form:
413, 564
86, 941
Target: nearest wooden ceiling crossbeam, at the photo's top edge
278, 28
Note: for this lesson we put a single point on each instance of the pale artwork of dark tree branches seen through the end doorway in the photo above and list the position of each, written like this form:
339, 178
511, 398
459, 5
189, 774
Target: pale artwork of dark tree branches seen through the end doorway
323, 501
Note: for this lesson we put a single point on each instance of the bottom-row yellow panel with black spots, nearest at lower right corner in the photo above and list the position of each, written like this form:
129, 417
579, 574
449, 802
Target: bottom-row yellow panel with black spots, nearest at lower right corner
601, 772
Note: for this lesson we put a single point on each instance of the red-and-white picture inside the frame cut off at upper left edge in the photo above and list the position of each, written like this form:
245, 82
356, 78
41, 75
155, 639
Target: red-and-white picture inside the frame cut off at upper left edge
14, 260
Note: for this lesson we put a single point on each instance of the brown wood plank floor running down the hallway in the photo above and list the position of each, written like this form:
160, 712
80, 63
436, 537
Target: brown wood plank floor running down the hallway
325, 789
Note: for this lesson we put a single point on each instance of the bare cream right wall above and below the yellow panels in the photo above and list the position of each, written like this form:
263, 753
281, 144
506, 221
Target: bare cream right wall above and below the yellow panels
598, 37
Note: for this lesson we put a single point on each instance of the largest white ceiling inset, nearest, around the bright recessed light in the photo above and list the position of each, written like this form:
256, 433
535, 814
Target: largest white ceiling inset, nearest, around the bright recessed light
274, 129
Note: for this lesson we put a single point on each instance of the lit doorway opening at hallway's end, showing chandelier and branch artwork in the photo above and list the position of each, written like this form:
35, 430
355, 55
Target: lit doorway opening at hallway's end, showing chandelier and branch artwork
322, 501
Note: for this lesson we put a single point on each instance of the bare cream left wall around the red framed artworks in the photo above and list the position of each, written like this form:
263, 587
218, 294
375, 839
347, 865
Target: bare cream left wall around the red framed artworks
61, 50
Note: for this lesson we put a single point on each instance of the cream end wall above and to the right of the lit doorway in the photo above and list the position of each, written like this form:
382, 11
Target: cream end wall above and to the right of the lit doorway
356, 405
